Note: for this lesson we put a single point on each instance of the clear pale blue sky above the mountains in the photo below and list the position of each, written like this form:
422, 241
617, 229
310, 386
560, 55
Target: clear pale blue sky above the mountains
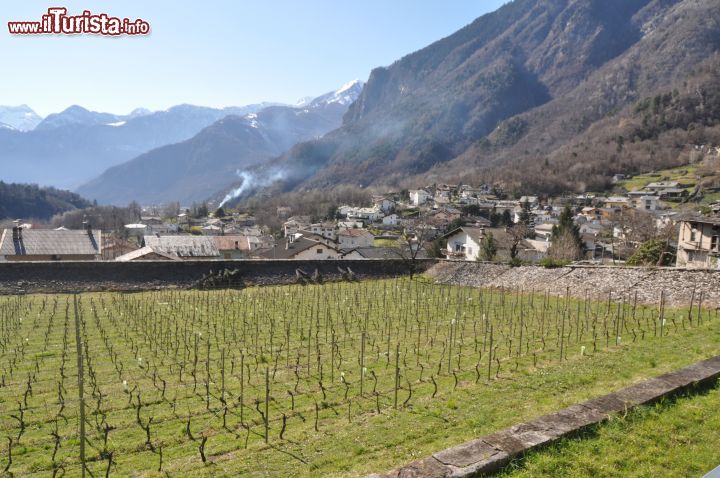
217, 53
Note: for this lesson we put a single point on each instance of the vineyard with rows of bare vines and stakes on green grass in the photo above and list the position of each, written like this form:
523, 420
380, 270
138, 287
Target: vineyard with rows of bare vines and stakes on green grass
270, 381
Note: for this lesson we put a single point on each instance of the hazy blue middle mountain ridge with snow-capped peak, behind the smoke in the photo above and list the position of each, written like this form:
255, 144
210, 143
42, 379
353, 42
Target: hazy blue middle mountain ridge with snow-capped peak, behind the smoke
211, 160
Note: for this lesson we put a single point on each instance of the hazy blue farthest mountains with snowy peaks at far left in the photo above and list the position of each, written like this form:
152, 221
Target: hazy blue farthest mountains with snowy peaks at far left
72, 147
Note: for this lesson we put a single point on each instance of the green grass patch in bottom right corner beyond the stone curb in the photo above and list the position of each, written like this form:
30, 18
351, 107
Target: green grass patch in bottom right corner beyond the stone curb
672, 438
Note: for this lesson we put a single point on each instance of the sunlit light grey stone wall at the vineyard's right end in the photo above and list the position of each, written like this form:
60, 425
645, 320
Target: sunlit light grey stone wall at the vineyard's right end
596, 281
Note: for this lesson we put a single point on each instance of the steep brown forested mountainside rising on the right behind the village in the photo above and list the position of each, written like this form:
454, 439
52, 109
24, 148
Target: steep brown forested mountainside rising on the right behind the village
541, 95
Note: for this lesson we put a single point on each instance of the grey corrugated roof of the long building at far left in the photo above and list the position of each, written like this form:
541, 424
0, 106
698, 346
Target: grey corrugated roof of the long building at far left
36, 242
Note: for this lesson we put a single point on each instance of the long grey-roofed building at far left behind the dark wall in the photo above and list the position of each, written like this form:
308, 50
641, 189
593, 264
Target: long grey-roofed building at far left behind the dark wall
21, 244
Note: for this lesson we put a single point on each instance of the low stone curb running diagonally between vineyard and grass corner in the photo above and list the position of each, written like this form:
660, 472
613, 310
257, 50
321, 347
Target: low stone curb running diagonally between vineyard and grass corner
490, 453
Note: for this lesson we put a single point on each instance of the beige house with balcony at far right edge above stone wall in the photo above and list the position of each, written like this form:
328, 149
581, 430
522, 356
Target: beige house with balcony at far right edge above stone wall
699, 243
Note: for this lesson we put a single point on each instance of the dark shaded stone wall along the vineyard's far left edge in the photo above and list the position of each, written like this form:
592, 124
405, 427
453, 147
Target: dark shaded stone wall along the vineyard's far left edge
66, 276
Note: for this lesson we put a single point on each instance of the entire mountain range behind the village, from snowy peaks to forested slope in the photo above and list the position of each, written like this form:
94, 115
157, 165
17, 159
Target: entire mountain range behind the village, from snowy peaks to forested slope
540, 96
